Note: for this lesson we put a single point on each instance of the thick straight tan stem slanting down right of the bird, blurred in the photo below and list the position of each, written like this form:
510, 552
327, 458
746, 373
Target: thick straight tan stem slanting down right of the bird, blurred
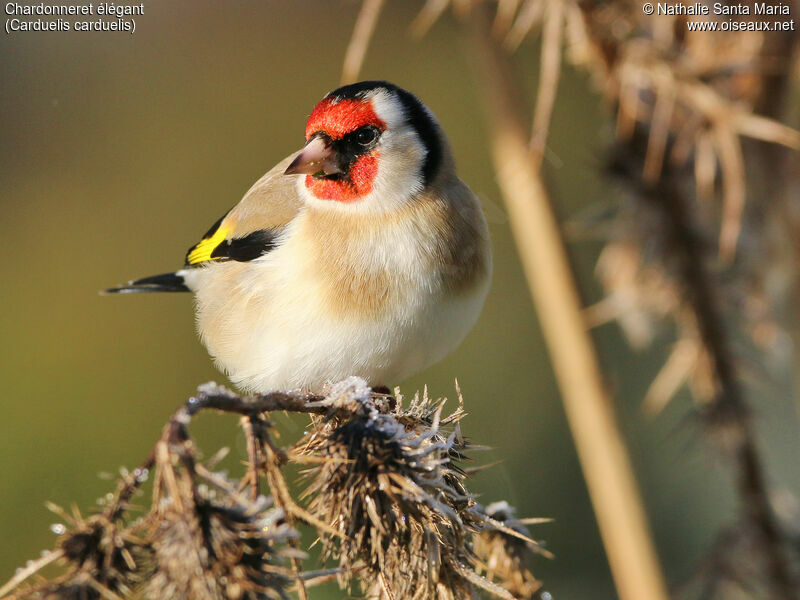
602, 452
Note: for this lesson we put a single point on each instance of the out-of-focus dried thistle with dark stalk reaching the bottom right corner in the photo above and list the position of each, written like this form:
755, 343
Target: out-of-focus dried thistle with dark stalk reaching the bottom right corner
724, 100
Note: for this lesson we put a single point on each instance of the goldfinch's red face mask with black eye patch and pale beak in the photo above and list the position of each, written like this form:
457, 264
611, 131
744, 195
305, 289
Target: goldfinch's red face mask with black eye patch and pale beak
340, 159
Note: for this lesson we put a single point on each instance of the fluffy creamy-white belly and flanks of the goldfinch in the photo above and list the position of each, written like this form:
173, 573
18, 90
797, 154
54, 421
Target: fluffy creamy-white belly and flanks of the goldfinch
265, 324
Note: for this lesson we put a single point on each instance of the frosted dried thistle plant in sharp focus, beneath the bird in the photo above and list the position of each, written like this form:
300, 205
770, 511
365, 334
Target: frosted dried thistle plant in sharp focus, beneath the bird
387, 498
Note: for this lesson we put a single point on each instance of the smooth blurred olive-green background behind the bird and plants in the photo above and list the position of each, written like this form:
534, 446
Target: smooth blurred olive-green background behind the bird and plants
119, 150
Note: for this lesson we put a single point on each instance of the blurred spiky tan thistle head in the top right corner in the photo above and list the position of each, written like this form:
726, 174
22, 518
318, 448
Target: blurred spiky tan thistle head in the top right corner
689, 87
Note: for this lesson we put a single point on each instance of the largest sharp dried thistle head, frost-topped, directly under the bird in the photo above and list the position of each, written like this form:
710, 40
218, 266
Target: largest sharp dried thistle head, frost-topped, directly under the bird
388, 481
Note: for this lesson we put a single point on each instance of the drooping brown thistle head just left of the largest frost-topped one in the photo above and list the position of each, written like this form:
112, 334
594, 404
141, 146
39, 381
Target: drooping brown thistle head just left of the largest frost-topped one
212, 542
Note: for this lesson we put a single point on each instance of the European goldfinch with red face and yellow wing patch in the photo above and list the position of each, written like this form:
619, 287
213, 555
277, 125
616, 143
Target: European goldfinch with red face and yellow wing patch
363, 254
